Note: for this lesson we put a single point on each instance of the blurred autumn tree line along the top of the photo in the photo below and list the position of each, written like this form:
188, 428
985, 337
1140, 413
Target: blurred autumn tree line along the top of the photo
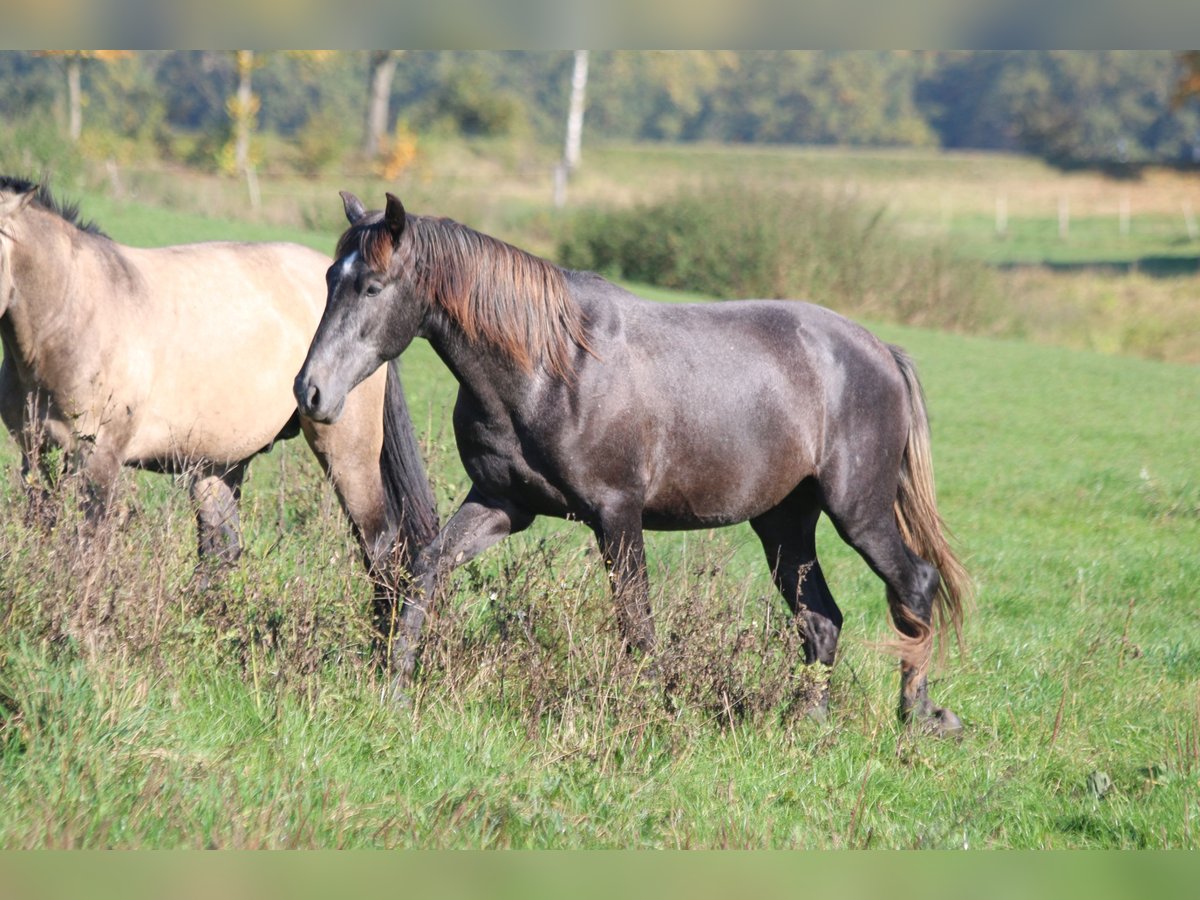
1071, 107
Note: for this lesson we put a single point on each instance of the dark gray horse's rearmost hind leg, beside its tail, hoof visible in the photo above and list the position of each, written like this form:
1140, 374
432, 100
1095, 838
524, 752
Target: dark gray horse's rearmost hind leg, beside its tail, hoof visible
913, 585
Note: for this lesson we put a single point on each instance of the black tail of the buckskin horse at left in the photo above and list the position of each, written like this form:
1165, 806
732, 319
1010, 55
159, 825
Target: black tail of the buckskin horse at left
407, 491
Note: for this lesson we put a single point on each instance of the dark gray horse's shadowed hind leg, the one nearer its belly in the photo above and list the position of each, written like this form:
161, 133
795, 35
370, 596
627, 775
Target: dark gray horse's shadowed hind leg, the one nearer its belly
789, 538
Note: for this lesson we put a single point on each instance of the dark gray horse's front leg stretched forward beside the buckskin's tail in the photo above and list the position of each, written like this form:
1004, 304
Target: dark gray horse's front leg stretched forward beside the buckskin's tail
478, 525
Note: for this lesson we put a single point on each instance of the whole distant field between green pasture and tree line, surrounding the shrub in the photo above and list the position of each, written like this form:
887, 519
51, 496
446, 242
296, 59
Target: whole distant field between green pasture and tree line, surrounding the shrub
1084, 260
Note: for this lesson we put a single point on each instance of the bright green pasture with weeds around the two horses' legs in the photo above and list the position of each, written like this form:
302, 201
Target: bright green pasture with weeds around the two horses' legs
140, 712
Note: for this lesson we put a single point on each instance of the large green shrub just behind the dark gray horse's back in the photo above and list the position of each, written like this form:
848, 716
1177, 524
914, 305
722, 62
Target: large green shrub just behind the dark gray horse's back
743, 241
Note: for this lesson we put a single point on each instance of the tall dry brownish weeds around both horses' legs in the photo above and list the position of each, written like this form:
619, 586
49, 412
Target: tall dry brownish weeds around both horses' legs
530, 631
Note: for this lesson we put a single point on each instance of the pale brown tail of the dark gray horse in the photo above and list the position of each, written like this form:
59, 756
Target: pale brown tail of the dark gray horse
921, 525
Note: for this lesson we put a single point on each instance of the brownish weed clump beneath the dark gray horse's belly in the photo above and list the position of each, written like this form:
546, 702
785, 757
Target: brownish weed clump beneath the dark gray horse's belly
544, 644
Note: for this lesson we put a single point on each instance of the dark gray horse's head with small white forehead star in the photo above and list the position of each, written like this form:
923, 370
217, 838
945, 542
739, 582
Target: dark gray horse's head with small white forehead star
371, 315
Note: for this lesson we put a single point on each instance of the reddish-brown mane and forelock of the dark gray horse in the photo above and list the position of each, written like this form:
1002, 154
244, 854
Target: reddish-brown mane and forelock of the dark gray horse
493, 291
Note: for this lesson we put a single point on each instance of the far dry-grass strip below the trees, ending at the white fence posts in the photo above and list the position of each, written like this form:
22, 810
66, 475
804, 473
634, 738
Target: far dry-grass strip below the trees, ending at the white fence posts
506, 188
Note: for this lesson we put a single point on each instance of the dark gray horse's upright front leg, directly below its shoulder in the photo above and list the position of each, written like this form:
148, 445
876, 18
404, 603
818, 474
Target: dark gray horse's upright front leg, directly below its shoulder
620, 535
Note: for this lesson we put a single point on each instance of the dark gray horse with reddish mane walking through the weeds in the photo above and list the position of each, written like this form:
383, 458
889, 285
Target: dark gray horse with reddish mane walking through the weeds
580, 400
